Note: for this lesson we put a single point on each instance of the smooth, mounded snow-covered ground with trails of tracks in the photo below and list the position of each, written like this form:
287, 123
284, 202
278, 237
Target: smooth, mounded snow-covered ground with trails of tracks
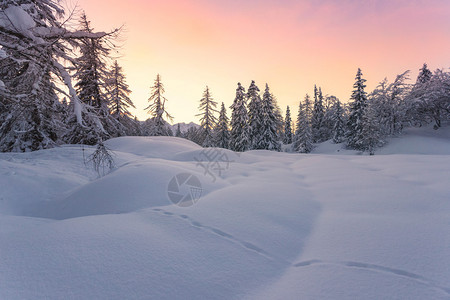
329, 225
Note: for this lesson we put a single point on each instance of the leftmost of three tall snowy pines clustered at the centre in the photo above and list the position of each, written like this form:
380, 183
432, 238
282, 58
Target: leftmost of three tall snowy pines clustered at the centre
239, 136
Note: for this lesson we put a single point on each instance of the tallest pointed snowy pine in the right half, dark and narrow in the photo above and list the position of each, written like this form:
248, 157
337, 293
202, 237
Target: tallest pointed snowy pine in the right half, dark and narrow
357, 108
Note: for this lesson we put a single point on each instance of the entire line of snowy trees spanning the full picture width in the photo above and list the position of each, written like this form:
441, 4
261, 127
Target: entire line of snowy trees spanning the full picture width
62, 85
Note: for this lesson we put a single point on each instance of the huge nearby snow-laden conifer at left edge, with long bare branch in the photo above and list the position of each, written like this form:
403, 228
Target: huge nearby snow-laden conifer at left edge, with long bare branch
35, 46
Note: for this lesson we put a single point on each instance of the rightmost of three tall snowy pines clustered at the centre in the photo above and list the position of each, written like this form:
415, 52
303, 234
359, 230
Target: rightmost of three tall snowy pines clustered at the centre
269, 138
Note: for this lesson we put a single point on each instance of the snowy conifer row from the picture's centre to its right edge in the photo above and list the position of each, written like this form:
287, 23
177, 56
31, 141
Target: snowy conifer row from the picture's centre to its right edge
364, 123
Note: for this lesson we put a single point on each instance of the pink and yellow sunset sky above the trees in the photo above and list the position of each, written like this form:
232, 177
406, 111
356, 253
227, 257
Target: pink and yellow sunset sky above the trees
290, 45
